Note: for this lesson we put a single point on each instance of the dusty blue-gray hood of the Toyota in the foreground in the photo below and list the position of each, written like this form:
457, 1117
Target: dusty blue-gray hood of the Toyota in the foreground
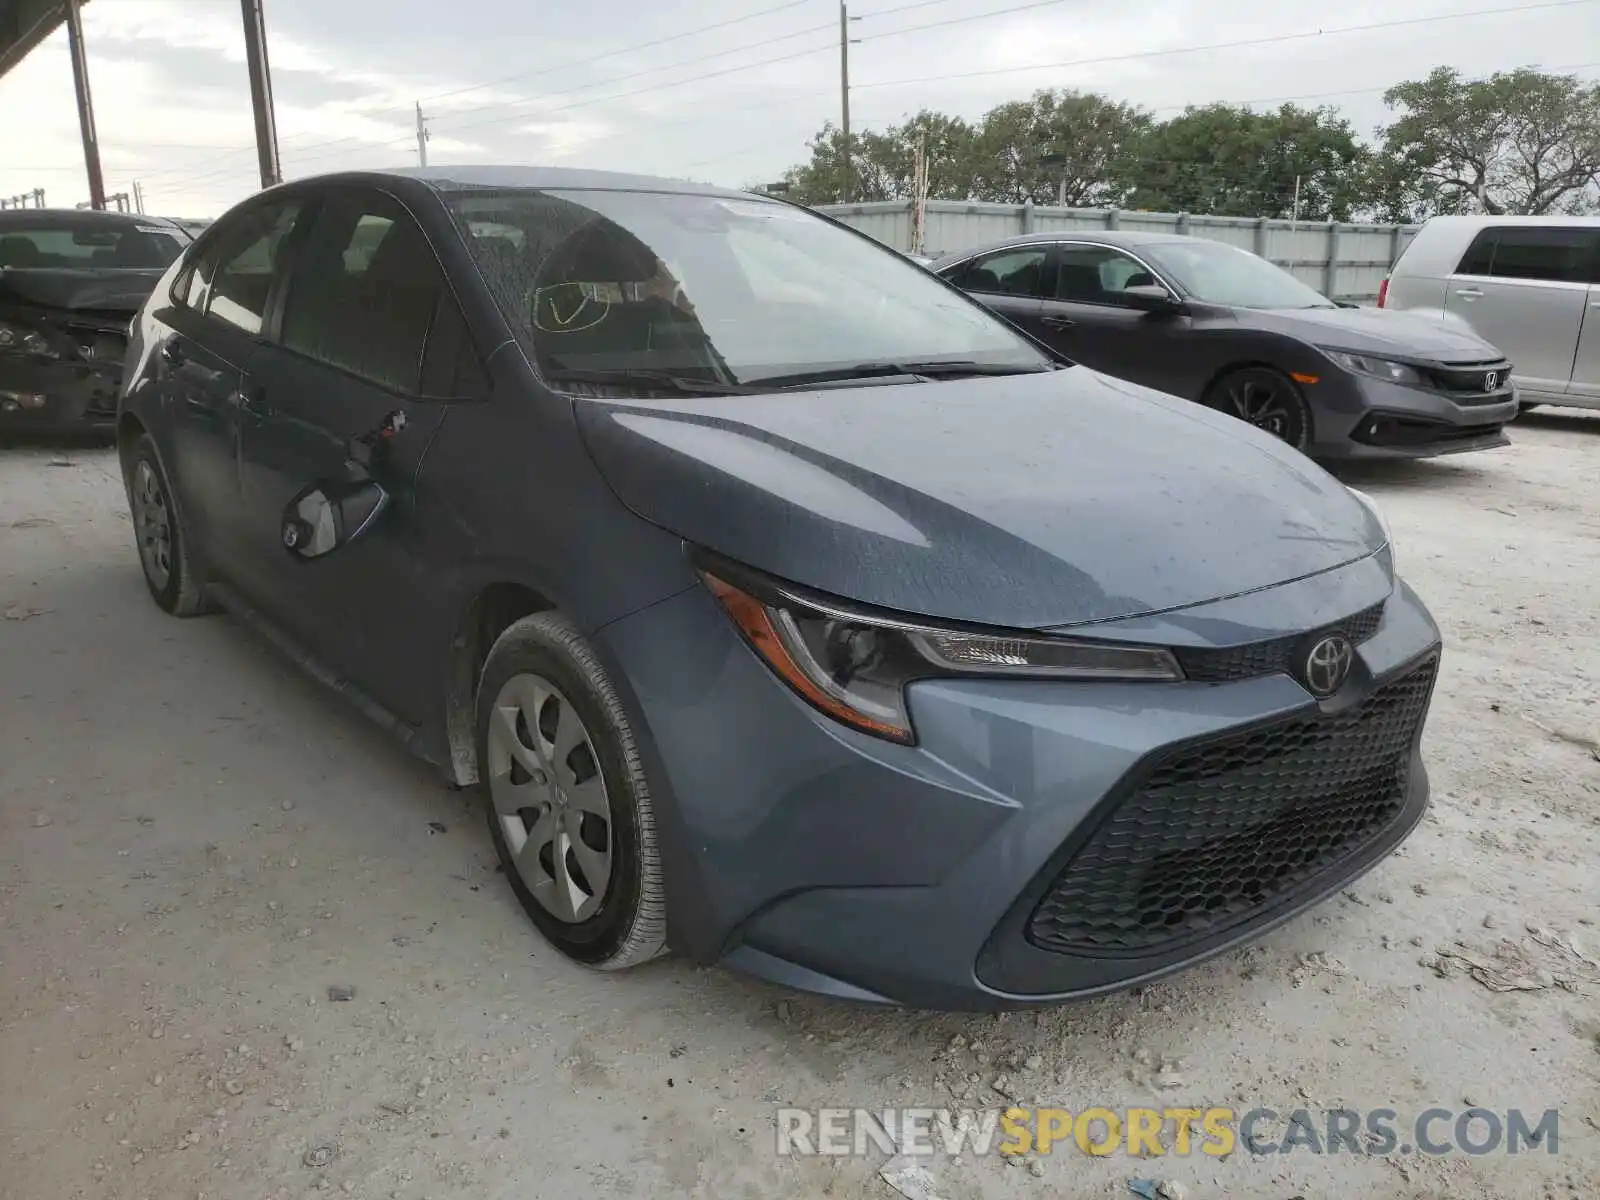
1026, 502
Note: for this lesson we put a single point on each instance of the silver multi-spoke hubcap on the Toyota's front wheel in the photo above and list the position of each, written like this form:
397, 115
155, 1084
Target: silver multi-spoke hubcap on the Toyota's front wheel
550, 798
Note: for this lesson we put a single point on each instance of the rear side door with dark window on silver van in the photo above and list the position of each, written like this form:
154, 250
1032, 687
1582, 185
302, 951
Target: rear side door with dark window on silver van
1526, 289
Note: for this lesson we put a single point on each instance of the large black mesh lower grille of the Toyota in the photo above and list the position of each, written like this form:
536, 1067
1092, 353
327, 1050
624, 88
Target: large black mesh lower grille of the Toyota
1220, 831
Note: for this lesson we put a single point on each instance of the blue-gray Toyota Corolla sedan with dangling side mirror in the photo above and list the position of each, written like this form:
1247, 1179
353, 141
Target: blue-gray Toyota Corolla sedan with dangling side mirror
788, 607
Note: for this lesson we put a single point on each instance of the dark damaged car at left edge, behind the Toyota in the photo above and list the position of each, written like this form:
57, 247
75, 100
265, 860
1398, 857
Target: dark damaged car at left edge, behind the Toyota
70, 286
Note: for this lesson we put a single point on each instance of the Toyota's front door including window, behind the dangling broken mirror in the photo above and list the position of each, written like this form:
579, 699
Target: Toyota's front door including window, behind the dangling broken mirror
372, 351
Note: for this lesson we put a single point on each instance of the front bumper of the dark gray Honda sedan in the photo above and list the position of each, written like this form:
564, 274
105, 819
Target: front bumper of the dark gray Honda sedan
1375, 418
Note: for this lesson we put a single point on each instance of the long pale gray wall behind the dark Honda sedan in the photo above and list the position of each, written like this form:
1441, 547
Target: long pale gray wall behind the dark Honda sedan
1342, 260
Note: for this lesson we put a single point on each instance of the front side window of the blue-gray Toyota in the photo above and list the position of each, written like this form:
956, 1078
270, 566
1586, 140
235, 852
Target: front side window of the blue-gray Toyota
370, 298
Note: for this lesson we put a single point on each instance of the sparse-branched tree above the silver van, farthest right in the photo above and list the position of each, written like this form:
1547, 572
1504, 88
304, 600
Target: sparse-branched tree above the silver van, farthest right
1521, 142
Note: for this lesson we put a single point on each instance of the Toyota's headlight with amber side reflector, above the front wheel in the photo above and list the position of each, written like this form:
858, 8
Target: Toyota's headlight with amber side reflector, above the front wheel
854, 665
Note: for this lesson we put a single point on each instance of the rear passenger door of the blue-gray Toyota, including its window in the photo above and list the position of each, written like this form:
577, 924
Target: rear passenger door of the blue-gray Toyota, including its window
204, 361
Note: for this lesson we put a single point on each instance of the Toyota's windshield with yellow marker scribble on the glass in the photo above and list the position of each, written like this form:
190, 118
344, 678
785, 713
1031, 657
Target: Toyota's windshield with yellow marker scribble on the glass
727, 289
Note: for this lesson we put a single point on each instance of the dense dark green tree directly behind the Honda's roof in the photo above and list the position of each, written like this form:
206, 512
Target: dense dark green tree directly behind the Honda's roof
1236, 162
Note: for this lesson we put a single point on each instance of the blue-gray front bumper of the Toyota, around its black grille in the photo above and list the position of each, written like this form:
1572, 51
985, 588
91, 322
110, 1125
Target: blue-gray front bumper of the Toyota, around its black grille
831, 862
